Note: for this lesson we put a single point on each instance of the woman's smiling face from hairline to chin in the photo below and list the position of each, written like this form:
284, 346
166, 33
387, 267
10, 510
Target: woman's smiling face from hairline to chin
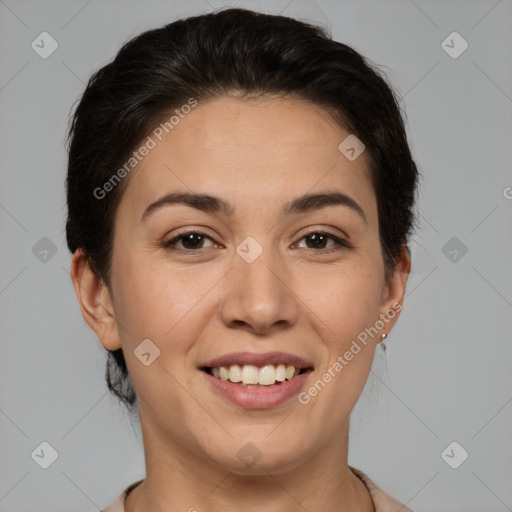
258, 281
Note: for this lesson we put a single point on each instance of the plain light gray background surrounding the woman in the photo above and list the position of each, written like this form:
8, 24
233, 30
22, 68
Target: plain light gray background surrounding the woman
447, 373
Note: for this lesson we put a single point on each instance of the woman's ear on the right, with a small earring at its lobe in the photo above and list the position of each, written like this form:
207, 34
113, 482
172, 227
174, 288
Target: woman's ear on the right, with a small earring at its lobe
394, 291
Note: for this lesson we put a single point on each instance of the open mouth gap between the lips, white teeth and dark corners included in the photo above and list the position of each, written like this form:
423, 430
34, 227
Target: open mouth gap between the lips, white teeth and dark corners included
250, 376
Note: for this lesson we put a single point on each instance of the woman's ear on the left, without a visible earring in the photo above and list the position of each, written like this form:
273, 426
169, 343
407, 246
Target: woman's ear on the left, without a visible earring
95, 302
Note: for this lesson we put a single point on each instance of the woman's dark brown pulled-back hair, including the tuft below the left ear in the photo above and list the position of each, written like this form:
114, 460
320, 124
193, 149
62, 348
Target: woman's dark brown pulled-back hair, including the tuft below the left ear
233, 51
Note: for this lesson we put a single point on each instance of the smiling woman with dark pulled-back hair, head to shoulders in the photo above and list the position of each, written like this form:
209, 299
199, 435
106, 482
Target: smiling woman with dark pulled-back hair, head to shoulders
240, 196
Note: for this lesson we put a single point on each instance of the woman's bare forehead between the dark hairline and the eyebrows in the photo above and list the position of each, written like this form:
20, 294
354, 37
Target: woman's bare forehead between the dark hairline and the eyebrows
252, 152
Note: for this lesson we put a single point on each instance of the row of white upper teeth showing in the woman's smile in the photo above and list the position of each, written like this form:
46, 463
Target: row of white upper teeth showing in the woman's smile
247, 374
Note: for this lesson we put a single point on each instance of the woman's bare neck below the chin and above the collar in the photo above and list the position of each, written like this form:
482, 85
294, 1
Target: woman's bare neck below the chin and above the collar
176, 479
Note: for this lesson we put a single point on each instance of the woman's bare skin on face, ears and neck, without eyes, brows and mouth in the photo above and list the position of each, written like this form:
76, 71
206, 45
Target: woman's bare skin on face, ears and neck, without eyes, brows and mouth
294, 298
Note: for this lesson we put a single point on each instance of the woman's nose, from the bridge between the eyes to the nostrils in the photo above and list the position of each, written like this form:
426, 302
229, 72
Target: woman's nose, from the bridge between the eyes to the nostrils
259, 296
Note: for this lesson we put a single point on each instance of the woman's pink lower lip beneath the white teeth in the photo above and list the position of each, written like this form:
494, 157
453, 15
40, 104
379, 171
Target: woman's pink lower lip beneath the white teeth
260, 397
